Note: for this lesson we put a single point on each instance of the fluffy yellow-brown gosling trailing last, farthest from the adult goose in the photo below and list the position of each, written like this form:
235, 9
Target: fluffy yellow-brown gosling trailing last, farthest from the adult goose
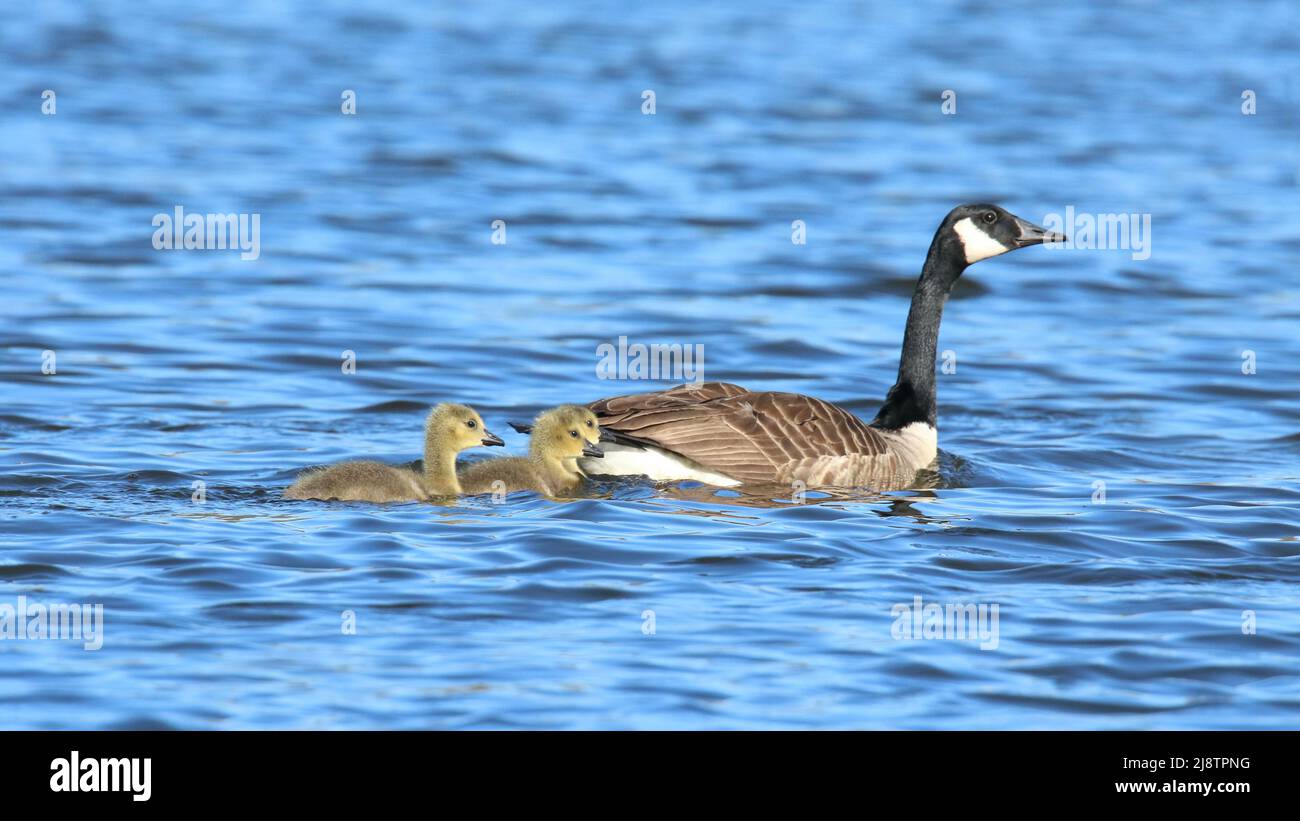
449, 431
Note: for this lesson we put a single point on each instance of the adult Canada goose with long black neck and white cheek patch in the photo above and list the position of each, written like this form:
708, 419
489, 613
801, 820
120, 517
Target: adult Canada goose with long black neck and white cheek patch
725, 435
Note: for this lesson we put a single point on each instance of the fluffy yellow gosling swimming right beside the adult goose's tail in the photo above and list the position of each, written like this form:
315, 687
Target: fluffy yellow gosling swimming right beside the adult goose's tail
560, 437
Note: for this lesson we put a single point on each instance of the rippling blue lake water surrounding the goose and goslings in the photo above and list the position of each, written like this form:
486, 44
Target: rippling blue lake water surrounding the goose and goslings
1078, 372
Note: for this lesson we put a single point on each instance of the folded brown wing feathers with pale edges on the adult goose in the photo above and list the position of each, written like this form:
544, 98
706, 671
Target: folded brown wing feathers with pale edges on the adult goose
751, 437
